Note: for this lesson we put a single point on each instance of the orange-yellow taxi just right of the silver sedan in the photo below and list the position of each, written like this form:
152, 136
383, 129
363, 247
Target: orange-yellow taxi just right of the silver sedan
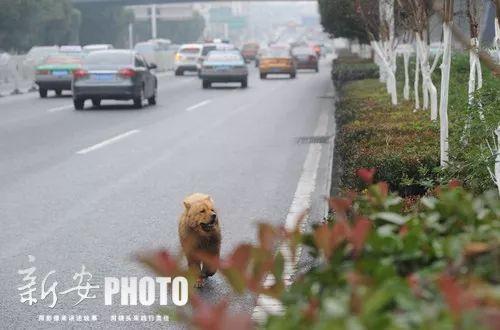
276, 60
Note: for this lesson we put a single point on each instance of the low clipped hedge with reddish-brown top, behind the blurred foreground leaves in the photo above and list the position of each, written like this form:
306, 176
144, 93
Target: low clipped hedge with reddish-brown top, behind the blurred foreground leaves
401, 144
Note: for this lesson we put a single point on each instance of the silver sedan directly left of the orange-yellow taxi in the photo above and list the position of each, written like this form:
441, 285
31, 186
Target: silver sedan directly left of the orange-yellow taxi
224, 66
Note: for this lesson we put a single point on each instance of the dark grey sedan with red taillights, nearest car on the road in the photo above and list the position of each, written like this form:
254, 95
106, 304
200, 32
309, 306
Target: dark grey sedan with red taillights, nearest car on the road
114, 75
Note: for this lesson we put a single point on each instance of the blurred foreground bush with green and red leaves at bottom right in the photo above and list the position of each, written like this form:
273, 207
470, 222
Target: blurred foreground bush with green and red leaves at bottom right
378, 268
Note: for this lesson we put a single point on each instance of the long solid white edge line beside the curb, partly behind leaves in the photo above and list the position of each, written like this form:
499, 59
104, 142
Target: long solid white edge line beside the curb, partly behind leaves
301, 202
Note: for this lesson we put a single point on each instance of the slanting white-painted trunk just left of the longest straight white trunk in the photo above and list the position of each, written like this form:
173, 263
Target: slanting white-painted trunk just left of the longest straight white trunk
429, 90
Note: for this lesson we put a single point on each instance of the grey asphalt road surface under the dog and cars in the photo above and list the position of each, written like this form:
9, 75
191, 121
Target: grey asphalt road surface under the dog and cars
94, 187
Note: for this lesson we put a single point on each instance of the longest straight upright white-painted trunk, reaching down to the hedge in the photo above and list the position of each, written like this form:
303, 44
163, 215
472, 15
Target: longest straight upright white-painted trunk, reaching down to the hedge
445, 86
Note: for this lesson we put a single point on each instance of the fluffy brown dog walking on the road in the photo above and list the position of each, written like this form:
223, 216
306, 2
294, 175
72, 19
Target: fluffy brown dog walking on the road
199, 232
